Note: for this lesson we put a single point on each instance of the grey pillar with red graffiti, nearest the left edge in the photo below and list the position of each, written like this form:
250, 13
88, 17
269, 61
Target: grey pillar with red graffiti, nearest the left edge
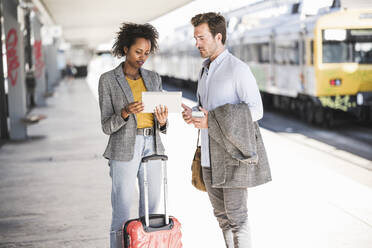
16, 72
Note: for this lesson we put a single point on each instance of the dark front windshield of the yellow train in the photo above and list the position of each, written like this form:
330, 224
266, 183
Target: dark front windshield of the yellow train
347, 46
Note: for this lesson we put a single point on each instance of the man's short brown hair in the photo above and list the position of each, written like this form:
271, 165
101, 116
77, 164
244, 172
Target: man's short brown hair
216, 23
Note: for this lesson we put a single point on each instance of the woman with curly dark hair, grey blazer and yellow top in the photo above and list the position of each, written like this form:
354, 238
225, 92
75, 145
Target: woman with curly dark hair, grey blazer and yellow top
132, 133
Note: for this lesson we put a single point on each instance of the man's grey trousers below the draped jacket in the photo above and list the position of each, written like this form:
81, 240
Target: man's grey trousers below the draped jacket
230, 209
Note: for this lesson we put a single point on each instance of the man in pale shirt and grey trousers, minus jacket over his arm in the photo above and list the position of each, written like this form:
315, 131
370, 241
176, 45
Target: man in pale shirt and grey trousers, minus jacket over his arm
224, 79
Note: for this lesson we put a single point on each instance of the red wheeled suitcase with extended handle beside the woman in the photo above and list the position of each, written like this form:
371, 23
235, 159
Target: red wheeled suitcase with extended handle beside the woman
156, 230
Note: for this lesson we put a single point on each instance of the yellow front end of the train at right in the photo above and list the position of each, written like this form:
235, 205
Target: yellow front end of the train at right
343, 62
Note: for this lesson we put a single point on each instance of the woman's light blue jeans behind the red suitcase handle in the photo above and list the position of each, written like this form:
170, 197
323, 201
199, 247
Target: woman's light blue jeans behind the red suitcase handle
124, 192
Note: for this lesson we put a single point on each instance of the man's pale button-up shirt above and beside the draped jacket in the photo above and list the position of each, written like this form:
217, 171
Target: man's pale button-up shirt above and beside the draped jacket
228, 80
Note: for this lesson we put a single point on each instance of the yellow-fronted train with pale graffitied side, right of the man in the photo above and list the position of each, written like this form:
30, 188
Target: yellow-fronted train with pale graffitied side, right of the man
319, 67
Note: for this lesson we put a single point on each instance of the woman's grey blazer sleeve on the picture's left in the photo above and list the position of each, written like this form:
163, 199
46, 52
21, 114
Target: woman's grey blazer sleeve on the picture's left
110, 121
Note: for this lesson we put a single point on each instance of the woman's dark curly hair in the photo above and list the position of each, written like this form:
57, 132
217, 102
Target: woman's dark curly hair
128, 34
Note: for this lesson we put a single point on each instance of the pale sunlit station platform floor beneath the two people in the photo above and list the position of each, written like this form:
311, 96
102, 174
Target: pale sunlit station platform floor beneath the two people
55, 187
